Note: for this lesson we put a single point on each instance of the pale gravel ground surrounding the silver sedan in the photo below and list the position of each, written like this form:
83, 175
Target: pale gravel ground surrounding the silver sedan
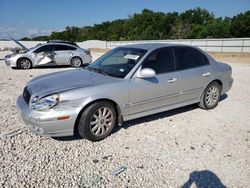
171, 149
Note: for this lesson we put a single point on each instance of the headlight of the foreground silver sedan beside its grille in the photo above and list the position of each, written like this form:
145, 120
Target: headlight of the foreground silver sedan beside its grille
45, 102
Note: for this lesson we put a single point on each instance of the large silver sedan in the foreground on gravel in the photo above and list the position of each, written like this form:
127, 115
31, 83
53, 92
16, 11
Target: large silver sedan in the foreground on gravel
126, 83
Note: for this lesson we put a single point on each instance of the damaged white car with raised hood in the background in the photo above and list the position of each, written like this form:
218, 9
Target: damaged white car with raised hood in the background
48, 54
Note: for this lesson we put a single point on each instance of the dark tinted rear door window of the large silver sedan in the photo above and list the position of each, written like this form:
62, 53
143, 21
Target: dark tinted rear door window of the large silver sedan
187, 57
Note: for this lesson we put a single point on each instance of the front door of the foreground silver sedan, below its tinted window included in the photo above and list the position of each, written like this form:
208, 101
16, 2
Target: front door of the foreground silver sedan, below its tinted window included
159, 91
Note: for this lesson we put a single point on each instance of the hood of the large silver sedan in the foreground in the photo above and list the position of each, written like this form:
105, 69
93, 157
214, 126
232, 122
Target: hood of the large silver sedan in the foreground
66, 80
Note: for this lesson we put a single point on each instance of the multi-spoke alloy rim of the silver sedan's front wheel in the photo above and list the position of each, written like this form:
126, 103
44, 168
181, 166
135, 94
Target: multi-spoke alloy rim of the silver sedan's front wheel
101, 121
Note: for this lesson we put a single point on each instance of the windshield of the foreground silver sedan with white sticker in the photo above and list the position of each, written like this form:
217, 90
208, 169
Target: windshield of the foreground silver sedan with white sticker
118, 62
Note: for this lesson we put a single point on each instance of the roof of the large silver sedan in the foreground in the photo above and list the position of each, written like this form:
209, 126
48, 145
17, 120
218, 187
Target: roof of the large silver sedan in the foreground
152, 46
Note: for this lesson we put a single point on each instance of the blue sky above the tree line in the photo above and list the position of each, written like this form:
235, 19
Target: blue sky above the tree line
19, 18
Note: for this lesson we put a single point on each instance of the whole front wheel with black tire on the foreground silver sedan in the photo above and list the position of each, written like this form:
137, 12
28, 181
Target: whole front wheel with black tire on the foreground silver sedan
97, 121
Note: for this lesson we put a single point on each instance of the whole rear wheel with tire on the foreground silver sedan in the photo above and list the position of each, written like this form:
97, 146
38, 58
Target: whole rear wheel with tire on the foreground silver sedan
211, 96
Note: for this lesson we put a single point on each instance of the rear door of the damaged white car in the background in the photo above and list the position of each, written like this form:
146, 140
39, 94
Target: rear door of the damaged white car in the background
62, 54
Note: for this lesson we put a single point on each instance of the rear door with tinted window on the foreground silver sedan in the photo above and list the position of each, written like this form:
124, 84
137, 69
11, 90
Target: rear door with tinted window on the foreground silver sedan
195, 73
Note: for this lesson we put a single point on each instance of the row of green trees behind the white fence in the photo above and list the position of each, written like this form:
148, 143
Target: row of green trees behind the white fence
150, 25
